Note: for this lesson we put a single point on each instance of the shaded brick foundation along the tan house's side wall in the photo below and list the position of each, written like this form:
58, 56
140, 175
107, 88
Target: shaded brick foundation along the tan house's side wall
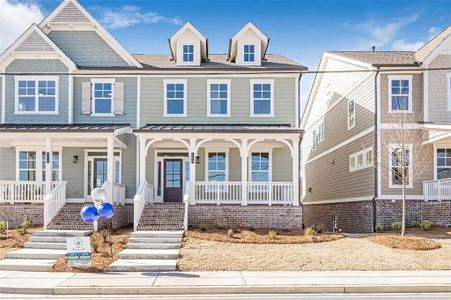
354, 217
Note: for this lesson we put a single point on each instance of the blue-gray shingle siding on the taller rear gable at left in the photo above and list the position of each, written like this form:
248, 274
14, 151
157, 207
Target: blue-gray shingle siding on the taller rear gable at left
86, 48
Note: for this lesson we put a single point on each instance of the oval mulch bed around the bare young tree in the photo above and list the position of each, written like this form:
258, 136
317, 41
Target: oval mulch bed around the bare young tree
405, 242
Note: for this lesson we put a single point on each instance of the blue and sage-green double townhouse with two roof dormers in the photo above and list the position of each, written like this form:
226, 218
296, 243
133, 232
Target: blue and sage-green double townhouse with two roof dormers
218, 130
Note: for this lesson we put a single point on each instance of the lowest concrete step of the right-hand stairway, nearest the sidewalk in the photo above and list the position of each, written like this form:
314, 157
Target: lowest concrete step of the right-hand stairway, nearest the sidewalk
140, 265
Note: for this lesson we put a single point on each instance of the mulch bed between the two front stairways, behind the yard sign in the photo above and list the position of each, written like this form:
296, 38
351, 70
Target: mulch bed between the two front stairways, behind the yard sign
101, 259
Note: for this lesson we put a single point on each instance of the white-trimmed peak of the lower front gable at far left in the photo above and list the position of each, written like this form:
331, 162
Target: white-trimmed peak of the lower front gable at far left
35, 40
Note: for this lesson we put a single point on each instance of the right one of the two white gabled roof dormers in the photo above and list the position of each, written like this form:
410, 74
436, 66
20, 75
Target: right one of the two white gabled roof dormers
248, 46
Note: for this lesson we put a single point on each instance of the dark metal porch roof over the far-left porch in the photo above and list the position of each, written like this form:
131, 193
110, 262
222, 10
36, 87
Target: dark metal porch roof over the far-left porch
61, 127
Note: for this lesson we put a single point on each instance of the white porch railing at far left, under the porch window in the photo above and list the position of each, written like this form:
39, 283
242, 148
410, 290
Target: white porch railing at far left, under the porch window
23, 191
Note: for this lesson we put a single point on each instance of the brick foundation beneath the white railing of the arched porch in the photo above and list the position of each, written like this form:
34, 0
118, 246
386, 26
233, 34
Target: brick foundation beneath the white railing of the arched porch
255, 216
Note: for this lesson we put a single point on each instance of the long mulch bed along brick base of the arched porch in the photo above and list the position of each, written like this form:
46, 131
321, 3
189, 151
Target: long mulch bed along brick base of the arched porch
260, 236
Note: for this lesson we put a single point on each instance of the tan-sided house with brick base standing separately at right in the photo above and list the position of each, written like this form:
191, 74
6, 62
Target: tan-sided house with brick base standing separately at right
348, 115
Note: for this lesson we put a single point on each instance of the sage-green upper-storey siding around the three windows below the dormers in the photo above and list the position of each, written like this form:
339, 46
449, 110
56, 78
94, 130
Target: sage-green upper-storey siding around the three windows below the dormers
152, 102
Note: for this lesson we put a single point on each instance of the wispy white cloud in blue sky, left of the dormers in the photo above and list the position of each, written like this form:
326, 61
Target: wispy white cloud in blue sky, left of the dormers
129, 15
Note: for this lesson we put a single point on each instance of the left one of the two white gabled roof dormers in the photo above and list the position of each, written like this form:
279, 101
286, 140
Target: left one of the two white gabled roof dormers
188, 46
